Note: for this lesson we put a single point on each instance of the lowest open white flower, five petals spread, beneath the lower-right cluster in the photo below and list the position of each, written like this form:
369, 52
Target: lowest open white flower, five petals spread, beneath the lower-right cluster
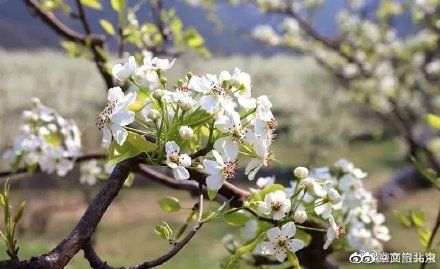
281, 241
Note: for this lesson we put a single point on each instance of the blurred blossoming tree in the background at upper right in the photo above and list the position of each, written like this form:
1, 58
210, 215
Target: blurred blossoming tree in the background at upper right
395, 74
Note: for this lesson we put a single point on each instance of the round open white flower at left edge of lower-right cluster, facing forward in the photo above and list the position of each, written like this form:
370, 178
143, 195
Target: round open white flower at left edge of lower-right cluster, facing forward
276, 204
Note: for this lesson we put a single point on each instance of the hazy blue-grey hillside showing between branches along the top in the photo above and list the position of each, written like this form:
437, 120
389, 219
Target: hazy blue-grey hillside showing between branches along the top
20, 30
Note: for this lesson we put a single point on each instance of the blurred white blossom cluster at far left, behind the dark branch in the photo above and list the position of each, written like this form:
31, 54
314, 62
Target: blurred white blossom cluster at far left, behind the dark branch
46, 140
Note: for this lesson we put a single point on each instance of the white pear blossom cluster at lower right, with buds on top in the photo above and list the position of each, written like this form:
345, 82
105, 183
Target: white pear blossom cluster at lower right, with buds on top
335, 195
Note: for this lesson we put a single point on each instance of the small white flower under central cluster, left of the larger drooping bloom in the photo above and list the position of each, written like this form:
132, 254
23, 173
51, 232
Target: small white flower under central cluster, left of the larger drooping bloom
176, 161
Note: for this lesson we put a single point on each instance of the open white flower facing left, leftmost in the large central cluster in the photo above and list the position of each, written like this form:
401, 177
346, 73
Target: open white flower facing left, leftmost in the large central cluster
115, 116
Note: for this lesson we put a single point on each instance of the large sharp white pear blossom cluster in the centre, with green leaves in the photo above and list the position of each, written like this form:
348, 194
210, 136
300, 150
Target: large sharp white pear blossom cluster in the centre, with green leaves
216, 112
